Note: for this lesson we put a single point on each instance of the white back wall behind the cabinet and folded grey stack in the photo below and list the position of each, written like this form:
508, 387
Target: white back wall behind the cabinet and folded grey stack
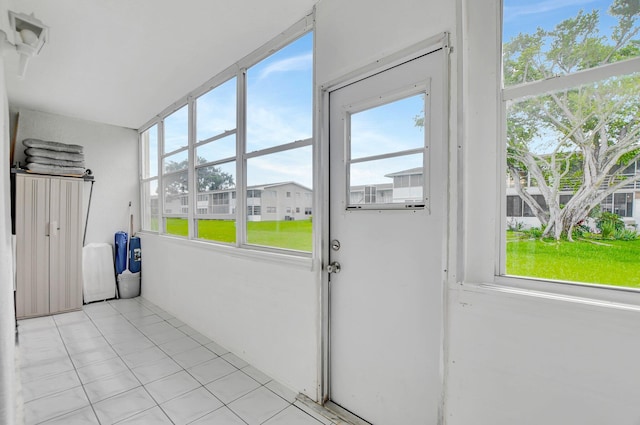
112, 155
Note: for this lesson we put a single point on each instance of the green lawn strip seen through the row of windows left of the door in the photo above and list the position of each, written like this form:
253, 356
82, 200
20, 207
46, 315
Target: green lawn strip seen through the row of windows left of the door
280, 234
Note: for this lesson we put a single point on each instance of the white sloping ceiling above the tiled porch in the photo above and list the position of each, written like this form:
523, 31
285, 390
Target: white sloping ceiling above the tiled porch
121, 62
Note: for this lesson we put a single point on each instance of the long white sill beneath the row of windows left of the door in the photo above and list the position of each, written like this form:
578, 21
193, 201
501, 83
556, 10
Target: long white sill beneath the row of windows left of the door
304, 262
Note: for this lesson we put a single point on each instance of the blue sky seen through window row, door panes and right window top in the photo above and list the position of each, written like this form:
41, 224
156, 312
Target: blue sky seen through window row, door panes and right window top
279, 111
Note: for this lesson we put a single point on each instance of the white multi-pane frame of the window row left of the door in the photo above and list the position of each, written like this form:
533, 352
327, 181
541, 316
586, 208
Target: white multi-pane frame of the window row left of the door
238, 70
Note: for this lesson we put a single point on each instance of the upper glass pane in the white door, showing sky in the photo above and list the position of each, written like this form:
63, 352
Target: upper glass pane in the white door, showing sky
393, 127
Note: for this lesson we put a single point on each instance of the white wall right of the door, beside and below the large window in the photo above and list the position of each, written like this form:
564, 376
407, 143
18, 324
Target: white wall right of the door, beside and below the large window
525, 356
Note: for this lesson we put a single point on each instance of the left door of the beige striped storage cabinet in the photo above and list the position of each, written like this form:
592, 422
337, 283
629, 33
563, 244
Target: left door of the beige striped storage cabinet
32, 245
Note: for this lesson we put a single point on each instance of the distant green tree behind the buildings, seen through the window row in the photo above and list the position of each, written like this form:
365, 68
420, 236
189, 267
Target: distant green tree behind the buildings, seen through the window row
207, 178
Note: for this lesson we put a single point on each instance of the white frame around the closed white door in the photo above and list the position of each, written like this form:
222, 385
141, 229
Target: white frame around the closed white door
432, 44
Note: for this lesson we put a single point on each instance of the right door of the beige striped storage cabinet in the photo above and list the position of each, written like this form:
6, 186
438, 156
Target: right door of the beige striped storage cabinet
65, 244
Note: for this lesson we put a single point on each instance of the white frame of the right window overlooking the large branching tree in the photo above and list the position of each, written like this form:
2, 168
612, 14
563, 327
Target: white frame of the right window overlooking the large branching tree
581, 292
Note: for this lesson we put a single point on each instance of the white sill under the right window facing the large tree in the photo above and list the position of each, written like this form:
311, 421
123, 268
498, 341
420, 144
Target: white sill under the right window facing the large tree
614, 297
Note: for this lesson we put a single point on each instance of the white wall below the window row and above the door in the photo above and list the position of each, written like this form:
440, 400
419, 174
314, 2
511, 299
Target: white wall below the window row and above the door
267, 312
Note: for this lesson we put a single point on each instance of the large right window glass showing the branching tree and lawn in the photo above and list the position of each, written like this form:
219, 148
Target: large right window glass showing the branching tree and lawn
570, 157
